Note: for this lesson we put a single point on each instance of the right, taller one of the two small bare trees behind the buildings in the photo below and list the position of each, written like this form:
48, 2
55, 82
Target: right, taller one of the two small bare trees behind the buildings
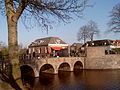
92, 29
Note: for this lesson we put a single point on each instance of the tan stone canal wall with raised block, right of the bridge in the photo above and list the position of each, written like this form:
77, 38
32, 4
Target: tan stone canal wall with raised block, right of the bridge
96, 59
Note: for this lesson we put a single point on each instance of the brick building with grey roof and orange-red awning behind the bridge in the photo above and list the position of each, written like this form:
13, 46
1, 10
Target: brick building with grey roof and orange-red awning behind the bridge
50, 46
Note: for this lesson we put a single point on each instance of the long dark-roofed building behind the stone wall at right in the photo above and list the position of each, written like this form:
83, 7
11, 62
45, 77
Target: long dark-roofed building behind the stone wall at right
112, 46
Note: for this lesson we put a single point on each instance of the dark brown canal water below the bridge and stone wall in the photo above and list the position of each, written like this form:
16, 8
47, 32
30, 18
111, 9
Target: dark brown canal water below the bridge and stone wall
77, 80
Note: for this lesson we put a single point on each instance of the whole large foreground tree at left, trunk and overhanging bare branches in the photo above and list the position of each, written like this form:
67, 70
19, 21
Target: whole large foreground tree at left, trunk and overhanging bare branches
41, 12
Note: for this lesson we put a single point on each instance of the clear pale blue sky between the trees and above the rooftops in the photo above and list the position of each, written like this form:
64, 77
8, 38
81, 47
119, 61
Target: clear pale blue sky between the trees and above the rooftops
99, 13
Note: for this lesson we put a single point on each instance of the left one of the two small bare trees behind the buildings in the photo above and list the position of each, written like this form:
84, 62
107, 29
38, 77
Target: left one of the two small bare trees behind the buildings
83, 33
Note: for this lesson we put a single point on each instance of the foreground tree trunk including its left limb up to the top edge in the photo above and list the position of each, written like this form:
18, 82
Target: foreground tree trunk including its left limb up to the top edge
13, 43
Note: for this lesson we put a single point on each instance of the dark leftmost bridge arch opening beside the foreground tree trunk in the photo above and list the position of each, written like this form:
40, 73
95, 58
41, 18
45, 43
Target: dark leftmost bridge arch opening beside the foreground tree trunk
27, 70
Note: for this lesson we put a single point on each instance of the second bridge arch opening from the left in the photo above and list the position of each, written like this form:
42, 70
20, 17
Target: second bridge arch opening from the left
47, 68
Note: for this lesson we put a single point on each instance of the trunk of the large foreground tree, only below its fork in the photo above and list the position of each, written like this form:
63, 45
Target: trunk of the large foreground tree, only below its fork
13, 50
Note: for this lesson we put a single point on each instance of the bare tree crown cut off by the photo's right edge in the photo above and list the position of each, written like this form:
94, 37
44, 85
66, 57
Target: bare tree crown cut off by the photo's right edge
114, 23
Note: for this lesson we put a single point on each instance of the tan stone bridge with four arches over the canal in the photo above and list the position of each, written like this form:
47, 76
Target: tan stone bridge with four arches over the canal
52, 65
